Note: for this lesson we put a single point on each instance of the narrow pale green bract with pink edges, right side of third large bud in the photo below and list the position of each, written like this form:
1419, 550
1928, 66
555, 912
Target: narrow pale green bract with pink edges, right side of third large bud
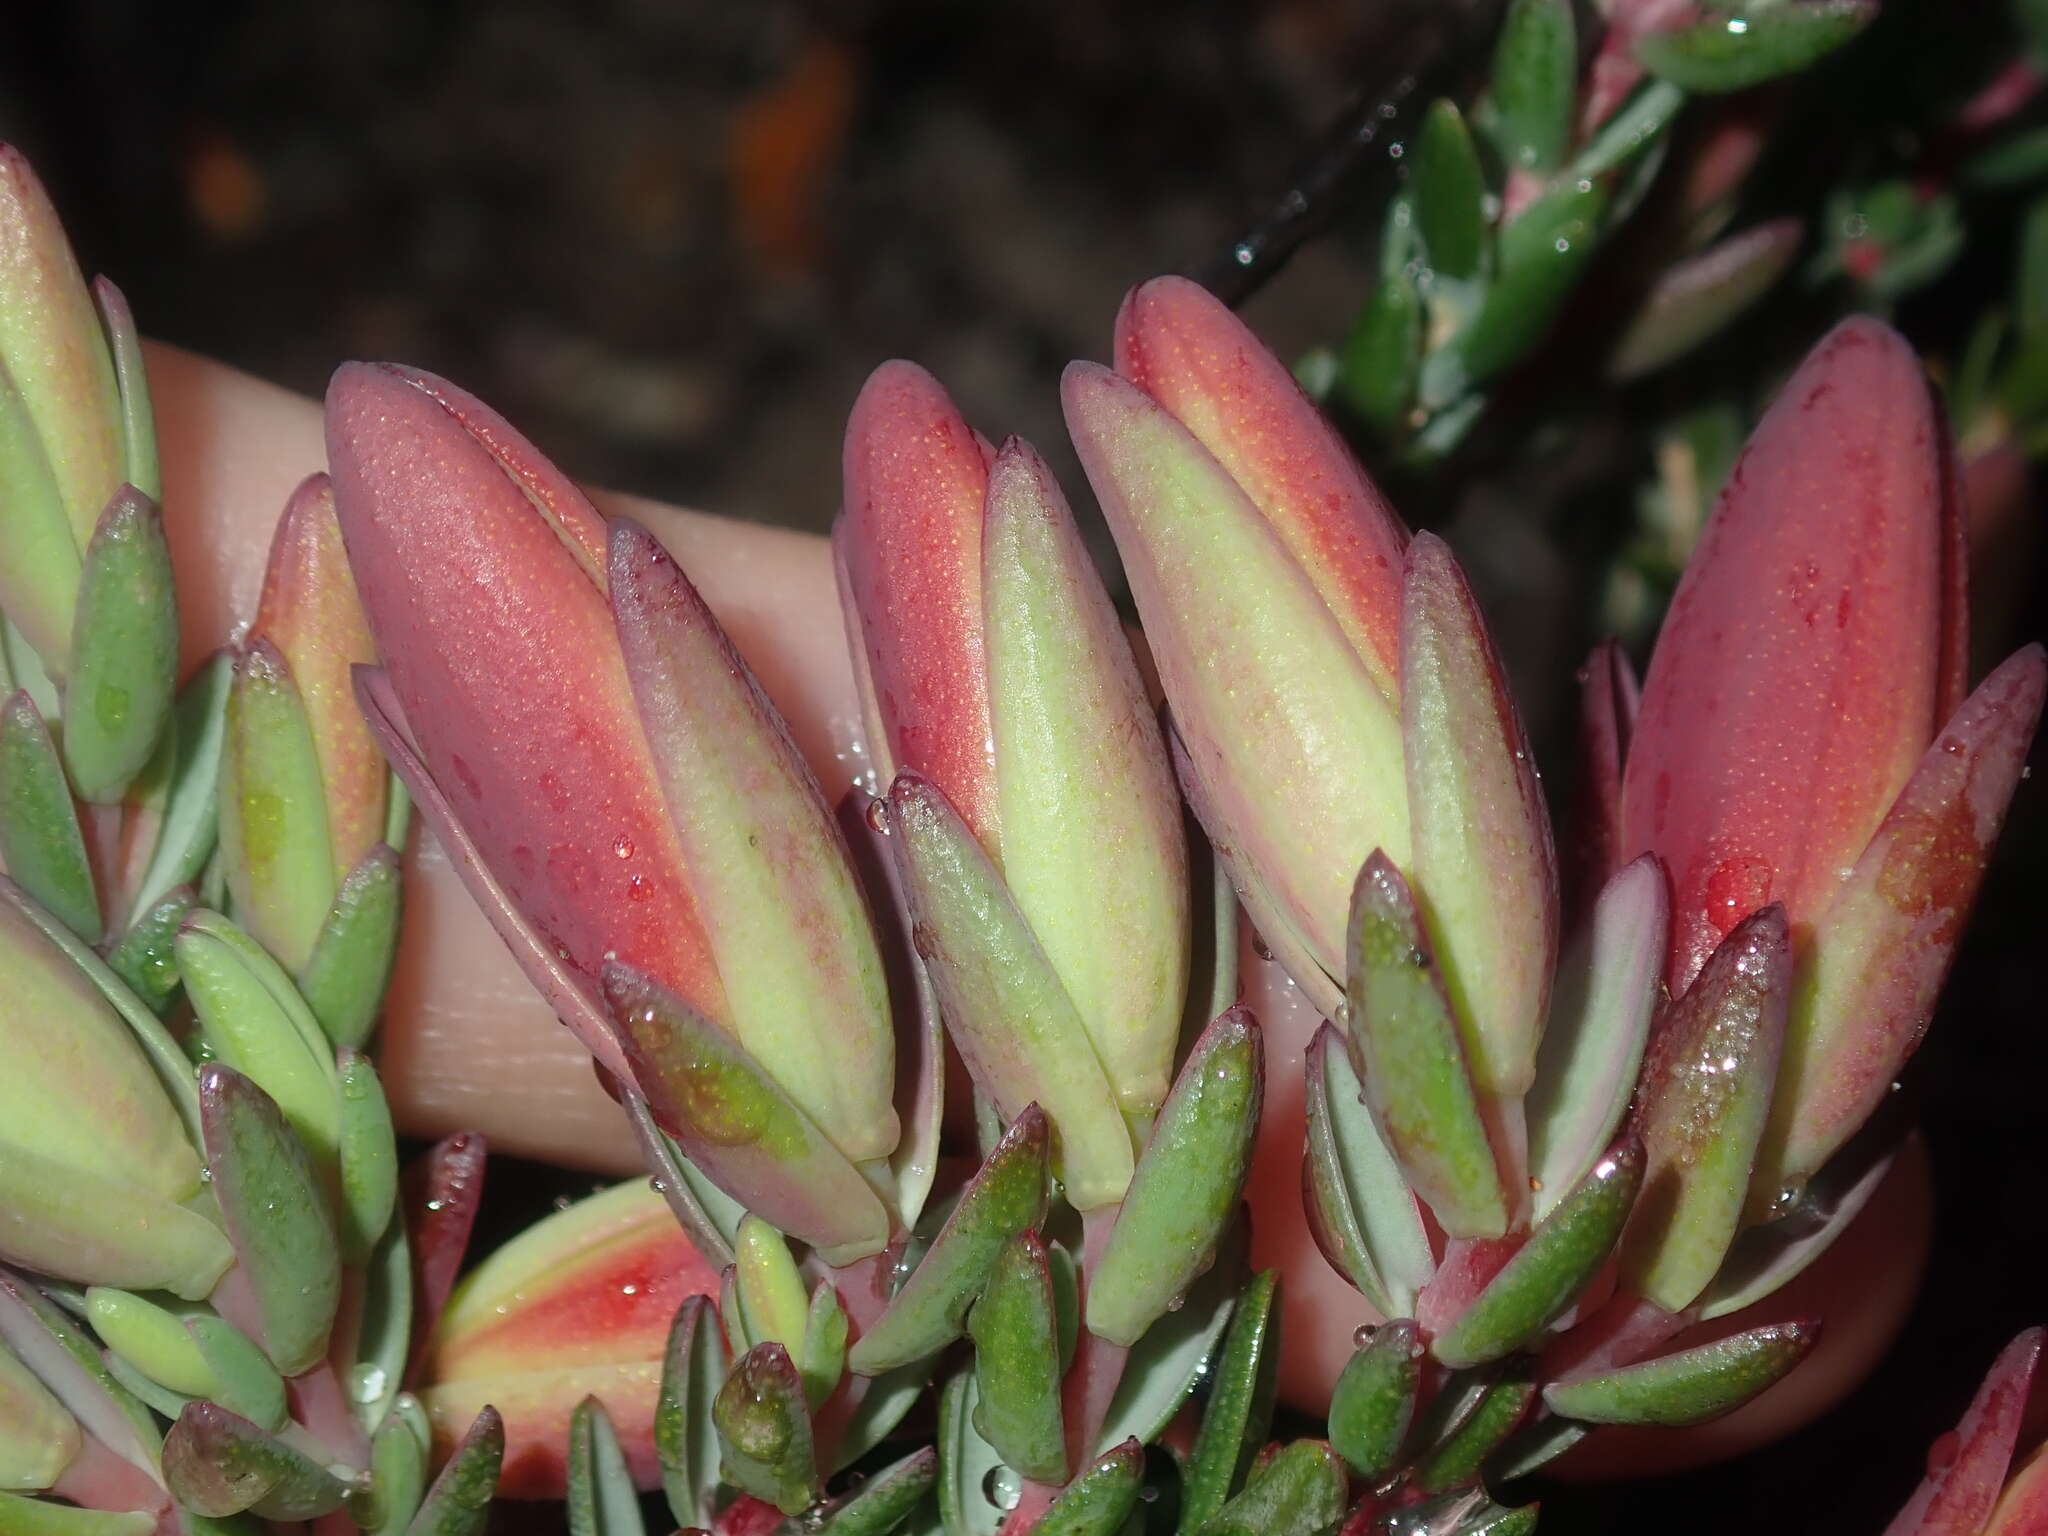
1486, 873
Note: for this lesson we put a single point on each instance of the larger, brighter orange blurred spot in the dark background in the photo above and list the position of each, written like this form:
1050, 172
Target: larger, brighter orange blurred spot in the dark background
785, 142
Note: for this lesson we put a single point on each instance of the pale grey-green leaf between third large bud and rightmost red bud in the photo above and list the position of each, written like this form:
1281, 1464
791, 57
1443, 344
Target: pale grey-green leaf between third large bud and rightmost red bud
1601, 1025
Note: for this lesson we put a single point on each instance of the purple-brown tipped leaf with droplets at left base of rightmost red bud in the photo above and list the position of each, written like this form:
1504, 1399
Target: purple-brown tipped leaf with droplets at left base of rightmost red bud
1703, 1105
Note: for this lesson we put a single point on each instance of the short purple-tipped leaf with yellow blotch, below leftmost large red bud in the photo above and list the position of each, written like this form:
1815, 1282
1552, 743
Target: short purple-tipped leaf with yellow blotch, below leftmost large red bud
738, 1125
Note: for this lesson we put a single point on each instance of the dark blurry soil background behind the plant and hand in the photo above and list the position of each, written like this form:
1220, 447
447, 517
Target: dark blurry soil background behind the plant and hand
673, 239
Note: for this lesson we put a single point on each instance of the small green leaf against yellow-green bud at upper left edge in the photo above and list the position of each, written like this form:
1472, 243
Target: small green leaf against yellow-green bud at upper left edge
124, 650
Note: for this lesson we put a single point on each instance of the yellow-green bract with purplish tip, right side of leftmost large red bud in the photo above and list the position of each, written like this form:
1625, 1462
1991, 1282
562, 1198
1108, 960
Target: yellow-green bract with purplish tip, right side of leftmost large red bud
787, 927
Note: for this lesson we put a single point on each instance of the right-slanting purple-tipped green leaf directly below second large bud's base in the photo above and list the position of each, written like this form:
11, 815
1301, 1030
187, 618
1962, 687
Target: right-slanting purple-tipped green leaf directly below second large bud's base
1002, 1201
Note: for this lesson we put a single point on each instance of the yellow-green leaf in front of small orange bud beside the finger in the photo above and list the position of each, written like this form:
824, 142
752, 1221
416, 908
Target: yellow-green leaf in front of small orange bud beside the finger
275, 841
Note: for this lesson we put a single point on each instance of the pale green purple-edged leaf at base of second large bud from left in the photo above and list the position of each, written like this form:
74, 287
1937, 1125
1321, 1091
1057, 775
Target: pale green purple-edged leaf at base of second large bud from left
1002, 1002
